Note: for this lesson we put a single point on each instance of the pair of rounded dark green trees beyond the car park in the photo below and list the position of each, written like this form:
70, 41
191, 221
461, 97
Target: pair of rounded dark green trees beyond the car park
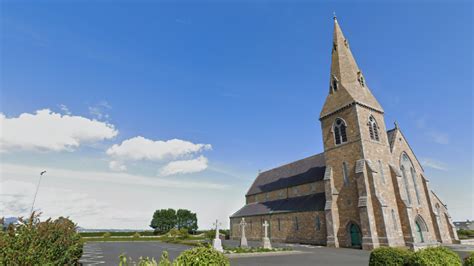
166, 219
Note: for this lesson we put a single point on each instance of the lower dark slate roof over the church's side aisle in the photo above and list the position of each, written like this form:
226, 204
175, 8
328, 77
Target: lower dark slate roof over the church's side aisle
313, 202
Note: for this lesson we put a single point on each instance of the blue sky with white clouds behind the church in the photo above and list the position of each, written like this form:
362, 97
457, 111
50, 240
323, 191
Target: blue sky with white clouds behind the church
144, 105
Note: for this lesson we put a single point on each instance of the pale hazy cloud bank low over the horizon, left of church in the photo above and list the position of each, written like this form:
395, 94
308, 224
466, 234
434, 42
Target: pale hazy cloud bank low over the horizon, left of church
119, 203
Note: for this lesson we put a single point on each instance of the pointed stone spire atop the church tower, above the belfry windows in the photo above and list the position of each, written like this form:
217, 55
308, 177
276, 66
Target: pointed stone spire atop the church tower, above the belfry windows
347, 83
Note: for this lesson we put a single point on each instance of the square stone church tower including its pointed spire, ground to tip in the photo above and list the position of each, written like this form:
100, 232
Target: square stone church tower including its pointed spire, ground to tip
357, 154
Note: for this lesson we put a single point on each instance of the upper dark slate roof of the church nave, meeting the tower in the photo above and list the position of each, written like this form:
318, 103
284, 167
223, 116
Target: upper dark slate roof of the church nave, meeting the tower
303, 171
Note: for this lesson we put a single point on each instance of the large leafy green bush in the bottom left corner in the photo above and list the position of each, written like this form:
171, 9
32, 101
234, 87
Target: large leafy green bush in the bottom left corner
32, 242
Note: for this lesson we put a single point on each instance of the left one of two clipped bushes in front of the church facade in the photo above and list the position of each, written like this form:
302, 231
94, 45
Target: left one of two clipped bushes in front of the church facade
389, 256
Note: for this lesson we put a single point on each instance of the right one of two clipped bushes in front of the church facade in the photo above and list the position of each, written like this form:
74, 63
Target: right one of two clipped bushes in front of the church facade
434, 256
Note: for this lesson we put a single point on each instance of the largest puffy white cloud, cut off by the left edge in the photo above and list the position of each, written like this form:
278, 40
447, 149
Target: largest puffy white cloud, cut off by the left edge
46, 130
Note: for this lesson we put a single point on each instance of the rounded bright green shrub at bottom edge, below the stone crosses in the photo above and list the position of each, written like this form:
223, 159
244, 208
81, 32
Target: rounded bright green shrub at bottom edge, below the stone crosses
201, 256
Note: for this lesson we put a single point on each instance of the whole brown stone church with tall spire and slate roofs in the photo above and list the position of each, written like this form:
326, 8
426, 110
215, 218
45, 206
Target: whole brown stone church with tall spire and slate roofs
367, 189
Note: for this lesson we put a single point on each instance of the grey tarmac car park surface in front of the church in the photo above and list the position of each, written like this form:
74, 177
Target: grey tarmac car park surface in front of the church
107, 253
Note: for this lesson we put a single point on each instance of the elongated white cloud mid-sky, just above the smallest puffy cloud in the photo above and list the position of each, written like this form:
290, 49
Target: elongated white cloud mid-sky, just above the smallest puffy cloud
140, 148
